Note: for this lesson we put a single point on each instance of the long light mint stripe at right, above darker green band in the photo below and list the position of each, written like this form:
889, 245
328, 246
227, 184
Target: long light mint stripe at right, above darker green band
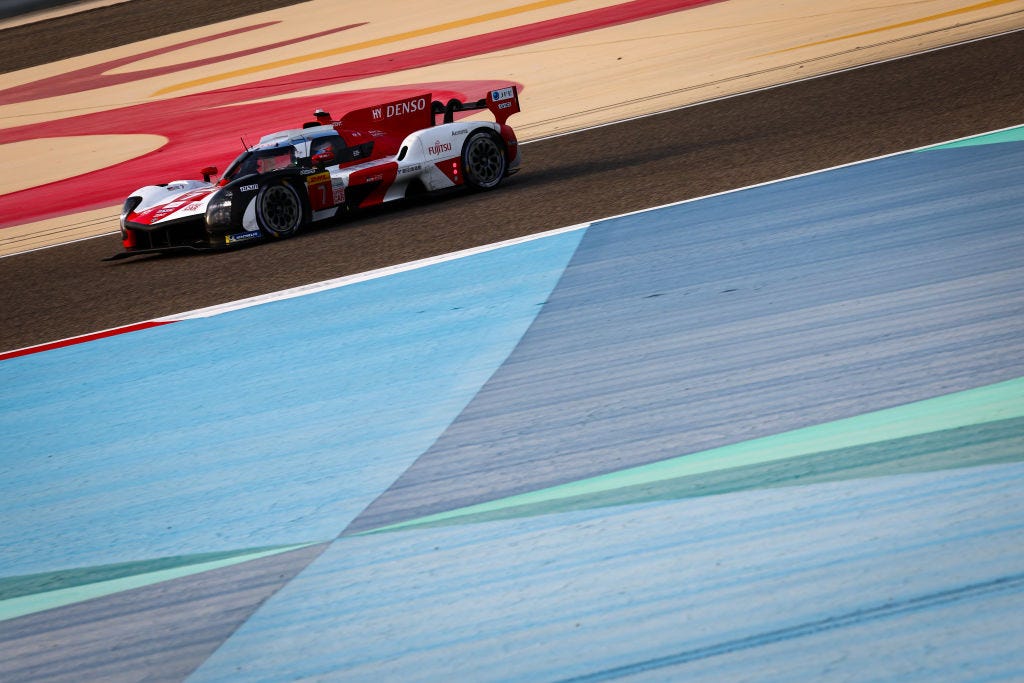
998, 403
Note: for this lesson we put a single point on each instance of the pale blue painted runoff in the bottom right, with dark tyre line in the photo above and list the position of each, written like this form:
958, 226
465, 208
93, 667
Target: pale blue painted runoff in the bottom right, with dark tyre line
904, 578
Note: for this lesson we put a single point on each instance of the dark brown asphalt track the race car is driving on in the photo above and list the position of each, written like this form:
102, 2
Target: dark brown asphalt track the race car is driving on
941, 96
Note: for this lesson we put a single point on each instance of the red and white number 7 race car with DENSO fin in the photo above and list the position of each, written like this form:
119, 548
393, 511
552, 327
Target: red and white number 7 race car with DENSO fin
315, 174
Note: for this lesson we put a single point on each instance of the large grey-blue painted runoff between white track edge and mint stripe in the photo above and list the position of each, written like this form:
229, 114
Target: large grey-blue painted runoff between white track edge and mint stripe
748, 315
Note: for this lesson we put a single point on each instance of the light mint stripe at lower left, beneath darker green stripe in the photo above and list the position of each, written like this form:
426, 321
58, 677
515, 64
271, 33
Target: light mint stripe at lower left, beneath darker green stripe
28, 605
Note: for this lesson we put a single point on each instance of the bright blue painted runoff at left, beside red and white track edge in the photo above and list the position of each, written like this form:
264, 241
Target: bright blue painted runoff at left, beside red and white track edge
274, 424
